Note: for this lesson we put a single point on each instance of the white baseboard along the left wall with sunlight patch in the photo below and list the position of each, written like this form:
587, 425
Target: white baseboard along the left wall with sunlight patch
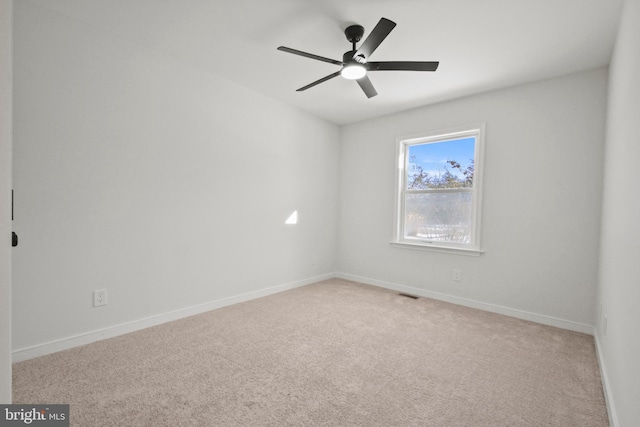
136, 325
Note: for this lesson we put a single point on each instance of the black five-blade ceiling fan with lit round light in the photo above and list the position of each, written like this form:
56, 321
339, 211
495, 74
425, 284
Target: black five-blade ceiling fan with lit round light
355, 63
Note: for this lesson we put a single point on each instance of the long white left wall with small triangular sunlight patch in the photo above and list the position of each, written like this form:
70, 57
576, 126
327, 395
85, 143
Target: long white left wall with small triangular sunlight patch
163, 184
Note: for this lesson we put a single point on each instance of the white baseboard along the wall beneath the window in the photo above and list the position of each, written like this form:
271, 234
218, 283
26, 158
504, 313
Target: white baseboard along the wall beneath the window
519, 314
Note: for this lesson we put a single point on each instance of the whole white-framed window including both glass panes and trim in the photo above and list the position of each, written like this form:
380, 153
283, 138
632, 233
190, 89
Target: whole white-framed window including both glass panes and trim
439, 190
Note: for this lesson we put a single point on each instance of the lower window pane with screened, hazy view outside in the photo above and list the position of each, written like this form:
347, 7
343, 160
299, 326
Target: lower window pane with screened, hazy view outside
439, 217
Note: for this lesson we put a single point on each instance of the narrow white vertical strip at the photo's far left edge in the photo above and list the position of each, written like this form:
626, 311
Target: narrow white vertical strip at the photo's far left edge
6, 7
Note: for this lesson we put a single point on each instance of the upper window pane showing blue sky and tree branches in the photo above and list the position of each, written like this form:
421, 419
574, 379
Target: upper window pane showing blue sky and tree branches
441, 165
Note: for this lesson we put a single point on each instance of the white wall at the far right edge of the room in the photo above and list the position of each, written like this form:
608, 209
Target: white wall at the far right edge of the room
619, 279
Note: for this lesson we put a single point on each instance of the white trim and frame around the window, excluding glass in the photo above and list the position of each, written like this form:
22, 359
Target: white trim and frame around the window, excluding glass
478, 131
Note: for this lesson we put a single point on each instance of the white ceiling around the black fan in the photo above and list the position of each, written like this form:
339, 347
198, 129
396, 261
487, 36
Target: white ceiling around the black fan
481, 44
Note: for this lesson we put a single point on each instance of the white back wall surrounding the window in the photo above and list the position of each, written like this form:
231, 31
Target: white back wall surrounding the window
542, 192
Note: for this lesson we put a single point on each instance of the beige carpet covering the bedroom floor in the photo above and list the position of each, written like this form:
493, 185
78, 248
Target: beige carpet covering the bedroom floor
335, 353
